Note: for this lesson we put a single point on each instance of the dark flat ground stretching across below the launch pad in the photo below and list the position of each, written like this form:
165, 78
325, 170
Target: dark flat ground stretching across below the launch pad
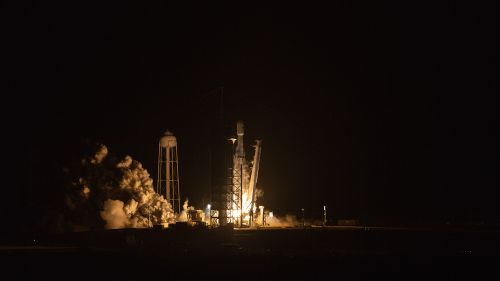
355, 253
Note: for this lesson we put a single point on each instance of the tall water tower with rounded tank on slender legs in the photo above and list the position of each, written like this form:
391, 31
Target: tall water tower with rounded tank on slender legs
167, 183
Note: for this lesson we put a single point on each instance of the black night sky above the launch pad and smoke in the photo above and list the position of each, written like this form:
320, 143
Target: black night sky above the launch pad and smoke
383, 112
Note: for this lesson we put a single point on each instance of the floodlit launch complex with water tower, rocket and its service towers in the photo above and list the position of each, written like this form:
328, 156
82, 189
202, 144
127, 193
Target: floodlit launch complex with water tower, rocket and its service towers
234, 188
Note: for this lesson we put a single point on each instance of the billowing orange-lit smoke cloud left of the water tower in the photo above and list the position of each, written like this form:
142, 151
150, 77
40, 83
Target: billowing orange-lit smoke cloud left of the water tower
120, 193
